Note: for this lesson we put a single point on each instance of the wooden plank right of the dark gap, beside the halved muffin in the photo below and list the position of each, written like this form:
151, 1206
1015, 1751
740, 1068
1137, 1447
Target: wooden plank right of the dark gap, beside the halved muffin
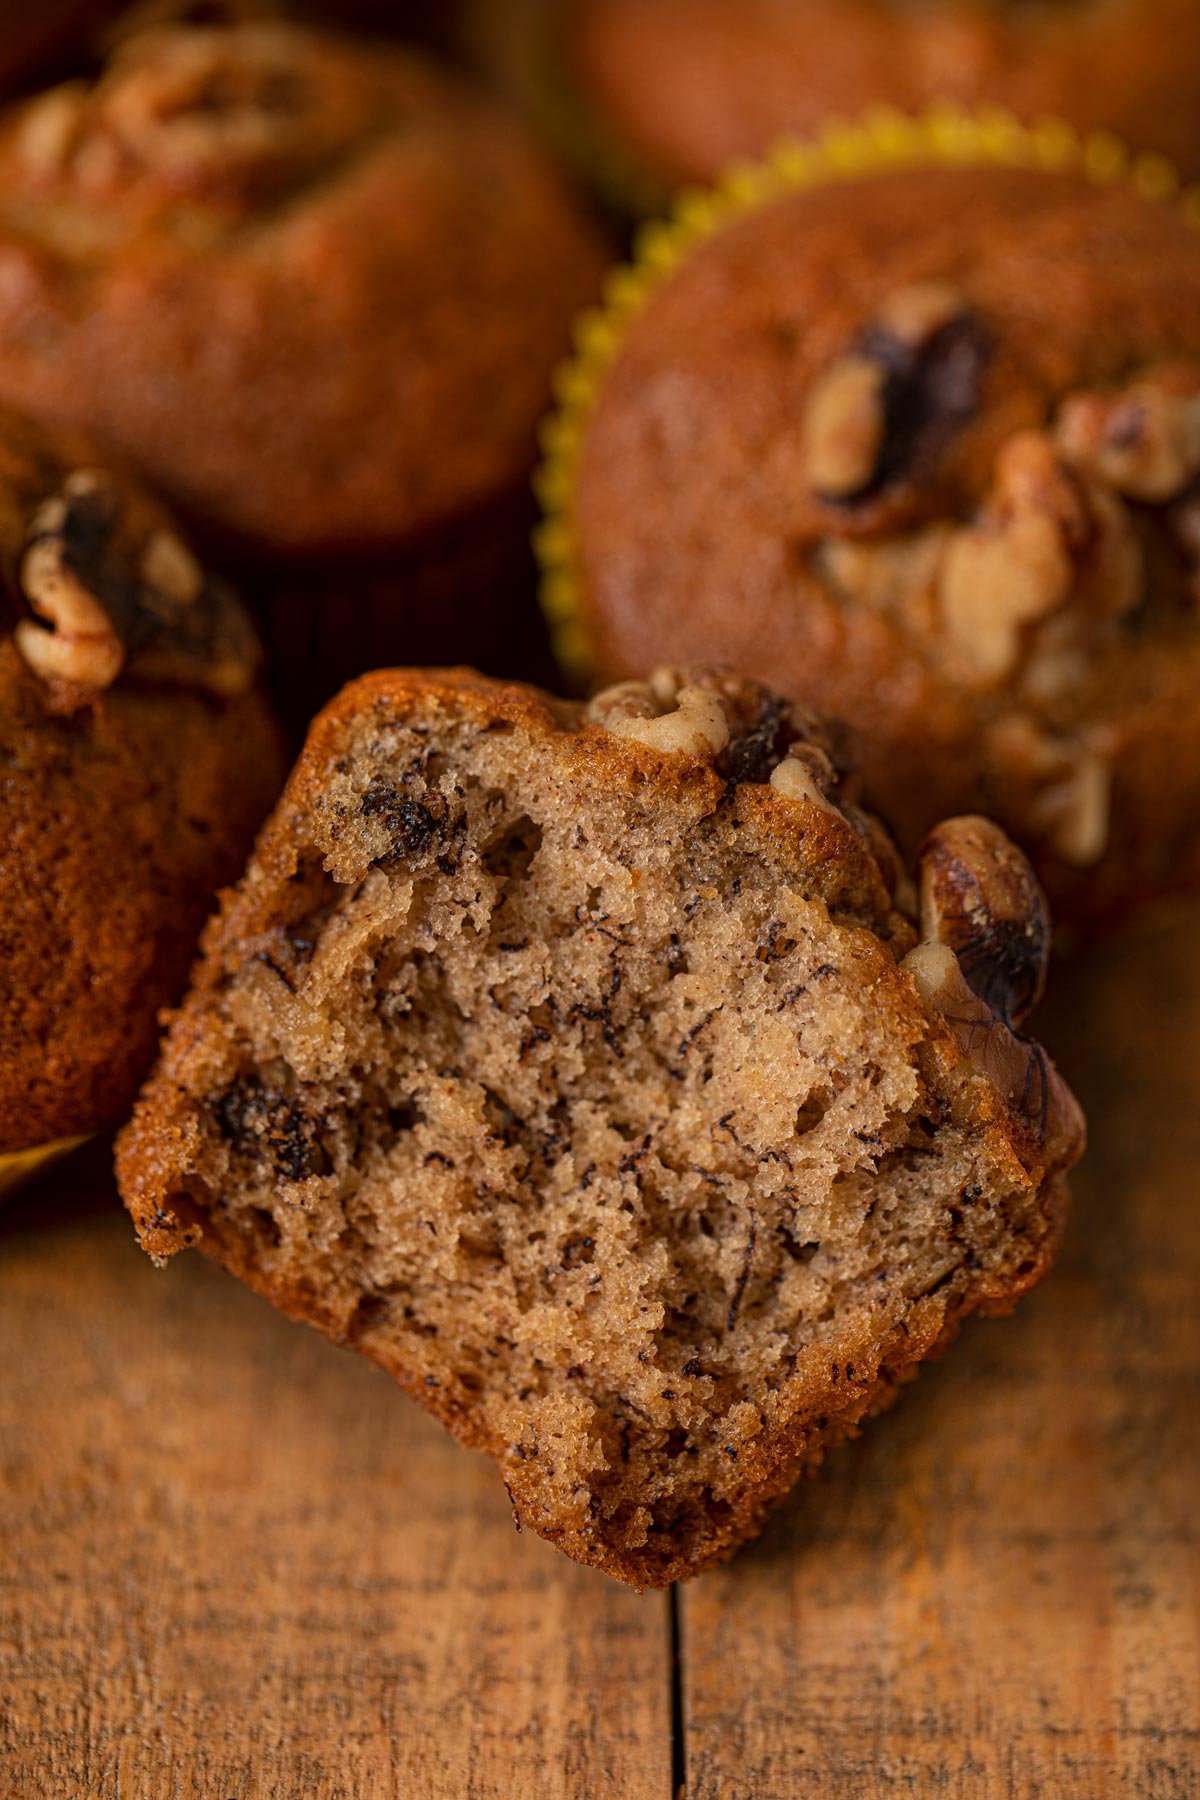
996, 1594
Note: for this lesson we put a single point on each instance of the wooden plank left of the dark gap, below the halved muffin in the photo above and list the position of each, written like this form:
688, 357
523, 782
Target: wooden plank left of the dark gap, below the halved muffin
238, 1565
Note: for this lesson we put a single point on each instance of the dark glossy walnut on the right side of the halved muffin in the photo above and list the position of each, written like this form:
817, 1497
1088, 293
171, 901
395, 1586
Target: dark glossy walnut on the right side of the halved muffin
981, 964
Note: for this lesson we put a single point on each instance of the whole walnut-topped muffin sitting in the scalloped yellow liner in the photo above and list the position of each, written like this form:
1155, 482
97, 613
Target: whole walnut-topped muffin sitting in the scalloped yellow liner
949, 492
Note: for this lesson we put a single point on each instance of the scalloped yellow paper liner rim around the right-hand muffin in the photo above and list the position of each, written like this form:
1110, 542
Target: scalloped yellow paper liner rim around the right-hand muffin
843, 152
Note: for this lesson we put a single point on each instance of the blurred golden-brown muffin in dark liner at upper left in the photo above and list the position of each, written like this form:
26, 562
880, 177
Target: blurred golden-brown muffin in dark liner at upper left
316, 292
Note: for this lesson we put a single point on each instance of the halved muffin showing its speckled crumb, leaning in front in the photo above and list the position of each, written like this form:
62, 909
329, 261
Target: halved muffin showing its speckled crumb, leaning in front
589, 1070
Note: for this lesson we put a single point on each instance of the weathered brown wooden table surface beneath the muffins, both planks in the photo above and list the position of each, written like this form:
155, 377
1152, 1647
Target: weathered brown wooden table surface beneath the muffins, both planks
237, 1565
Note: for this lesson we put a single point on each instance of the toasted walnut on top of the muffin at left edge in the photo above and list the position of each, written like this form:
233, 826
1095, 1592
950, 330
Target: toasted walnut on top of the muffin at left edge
112, 586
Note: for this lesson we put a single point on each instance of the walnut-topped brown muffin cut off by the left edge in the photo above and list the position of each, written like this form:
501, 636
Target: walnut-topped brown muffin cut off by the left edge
139, 757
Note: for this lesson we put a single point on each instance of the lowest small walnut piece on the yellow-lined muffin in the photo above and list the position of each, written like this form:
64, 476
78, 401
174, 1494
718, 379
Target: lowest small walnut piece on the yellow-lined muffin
1070, 787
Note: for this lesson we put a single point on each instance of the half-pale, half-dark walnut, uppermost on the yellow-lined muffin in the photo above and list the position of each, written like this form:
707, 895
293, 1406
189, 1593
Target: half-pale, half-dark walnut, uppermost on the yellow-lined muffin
888, 406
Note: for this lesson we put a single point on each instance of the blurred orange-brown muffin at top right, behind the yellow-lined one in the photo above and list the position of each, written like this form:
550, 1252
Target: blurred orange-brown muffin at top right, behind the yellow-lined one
650, 94
